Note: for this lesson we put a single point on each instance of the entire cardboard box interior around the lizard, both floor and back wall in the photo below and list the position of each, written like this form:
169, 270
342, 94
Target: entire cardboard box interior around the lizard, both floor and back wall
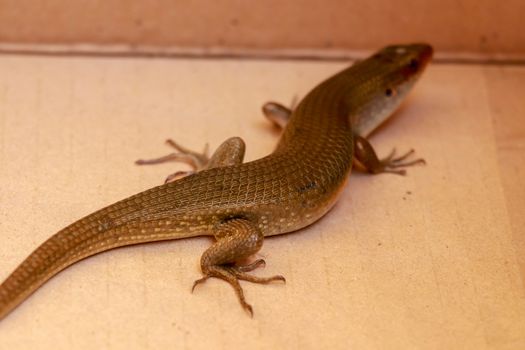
432, 260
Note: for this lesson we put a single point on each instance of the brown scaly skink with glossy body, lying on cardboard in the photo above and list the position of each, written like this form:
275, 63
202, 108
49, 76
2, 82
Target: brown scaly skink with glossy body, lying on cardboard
238, 203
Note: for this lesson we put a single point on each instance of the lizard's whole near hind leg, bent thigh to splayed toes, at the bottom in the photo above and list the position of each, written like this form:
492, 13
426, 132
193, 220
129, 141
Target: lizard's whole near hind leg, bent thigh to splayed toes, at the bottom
237, 239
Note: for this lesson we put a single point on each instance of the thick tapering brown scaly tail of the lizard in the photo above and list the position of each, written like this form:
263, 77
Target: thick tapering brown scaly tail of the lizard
117, 225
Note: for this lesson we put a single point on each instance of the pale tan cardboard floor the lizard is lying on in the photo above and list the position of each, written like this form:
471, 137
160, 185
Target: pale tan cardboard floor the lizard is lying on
432, 260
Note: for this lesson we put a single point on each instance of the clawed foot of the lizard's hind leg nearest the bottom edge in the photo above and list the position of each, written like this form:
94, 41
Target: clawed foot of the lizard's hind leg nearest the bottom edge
232, 275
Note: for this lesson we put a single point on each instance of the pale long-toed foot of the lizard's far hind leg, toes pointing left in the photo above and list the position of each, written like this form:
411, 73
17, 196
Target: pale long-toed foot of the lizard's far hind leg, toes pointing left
196, 160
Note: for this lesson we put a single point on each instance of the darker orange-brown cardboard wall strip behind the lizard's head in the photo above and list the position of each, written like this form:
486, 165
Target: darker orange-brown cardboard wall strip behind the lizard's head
482, 29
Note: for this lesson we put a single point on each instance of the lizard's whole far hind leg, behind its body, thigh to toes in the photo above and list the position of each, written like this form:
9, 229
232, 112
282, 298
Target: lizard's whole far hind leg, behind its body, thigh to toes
230, 152
